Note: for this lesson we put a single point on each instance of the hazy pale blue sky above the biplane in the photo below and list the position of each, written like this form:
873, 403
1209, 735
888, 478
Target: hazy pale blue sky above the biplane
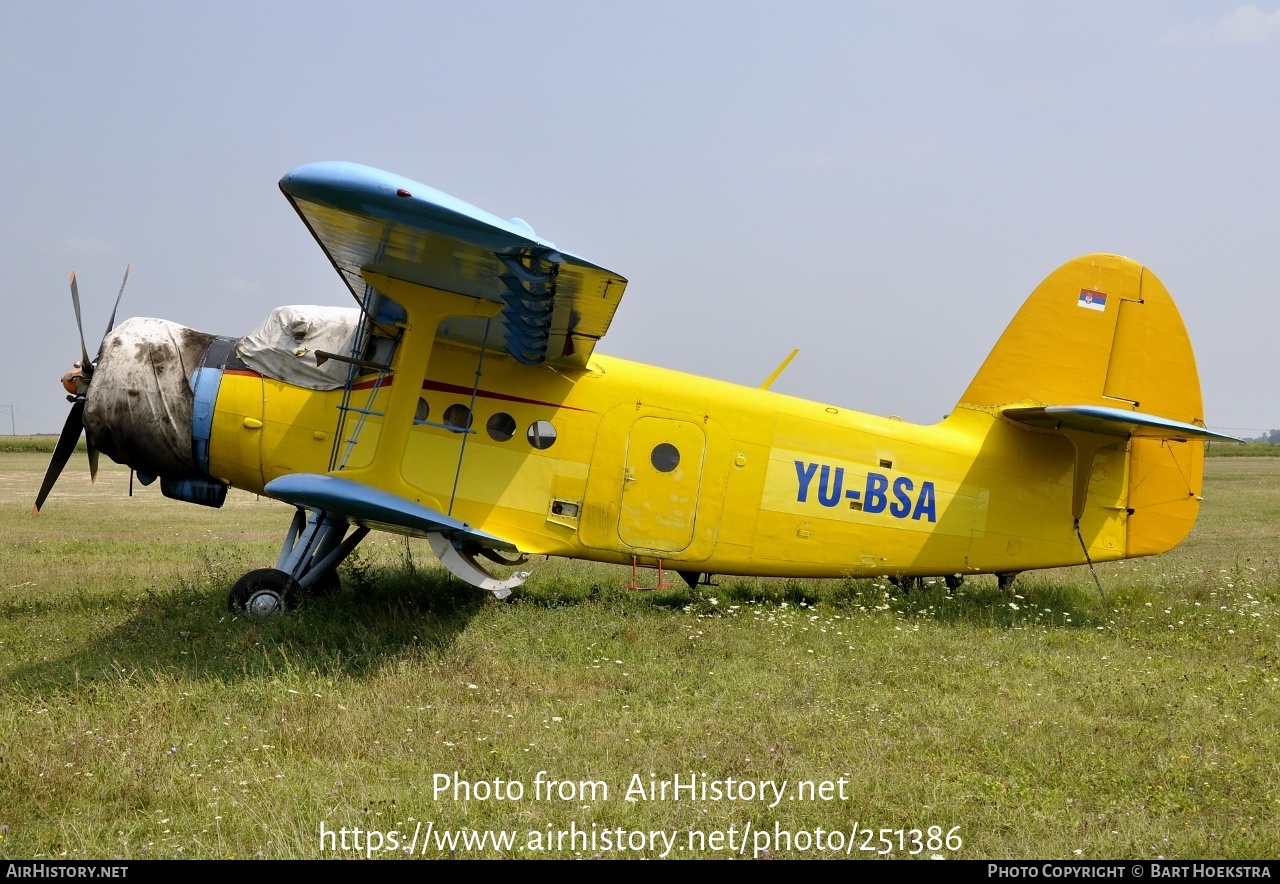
879, 185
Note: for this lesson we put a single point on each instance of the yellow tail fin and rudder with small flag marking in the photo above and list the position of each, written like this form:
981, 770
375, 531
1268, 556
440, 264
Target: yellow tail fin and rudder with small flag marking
1103, 331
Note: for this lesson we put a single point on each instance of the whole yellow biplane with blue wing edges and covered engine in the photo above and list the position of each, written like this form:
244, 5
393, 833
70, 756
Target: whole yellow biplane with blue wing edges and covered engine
464, 402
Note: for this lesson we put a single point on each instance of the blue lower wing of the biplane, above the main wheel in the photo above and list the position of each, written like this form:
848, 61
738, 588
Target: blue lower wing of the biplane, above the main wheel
371, 507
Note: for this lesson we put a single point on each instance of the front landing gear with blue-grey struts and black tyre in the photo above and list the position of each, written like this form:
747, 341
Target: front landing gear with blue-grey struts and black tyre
314, 547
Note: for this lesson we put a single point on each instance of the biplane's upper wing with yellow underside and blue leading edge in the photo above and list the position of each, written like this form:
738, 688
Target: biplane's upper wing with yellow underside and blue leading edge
556, 306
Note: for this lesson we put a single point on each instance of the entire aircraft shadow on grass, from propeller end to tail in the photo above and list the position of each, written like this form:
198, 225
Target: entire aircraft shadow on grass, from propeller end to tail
408, 612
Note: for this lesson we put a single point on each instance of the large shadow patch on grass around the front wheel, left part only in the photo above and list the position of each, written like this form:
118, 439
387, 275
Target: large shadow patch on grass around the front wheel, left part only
383, 616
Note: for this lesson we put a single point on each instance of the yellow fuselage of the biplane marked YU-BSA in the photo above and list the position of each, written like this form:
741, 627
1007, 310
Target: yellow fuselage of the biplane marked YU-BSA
624, 461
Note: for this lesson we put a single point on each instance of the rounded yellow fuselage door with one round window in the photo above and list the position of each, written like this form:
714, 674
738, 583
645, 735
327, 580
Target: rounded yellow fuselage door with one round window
660, 485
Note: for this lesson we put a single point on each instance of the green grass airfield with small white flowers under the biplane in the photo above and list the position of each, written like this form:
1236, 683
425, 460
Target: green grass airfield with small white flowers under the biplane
140, 720
